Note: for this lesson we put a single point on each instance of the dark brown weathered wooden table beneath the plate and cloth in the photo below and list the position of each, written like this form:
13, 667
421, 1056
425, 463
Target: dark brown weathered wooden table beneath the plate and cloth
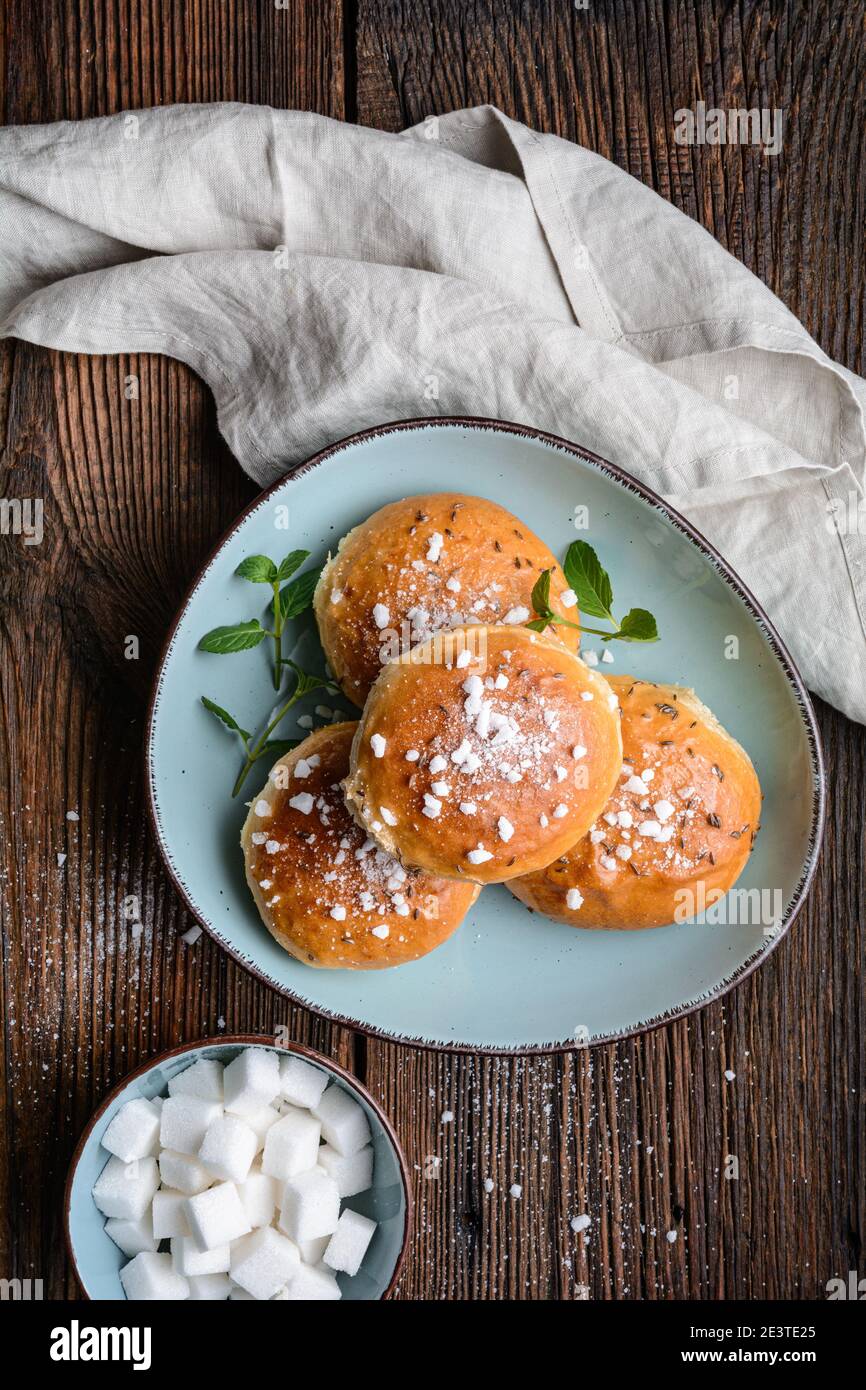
637, 1135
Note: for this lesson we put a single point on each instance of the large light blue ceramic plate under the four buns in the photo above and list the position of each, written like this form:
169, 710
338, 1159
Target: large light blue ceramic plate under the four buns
507, 981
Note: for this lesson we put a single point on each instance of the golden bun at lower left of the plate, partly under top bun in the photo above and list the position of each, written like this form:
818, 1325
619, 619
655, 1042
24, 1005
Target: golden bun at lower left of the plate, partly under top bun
315, 861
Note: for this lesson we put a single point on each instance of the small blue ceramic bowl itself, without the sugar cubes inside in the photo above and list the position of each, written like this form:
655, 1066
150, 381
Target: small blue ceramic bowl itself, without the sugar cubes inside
97, 1259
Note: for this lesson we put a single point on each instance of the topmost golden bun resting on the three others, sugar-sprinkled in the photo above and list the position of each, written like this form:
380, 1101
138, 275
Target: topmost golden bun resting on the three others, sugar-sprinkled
529, 786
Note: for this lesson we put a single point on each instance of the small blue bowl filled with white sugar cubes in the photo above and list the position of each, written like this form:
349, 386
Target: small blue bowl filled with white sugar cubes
238, 1170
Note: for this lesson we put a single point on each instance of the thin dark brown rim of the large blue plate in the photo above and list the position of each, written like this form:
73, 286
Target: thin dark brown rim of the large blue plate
725, 572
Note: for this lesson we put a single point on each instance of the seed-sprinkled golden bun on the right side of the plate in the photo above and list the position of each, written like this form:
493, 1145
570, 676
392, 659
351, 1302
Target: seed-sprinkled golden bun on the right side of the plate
700, 772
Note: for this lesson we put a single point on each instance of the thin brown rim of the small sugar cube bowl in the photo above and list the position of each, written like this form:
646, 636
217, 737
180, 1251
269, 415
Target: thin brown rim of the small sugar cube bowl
244, 1040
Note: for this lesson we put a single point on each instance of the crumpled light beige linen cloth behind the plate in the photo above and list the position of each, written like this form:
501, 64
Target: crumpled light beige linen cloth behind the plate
323, 279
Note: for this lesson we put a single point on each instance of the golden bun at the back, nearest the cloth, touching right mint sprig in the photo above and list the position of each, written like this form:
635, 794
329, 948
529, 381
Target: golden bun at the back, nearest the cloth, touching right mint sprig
384, 565
